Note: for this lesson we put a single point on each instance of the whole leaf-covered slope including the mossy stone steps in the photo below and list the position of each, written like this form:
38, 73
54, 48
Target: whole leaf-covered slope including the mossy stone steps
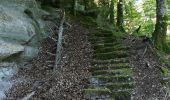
120, 69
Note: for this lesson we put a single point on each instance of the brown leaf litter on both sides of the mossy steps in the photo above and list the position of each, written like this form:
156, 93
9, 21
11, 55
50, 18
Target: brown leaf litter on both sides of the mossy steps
74, 69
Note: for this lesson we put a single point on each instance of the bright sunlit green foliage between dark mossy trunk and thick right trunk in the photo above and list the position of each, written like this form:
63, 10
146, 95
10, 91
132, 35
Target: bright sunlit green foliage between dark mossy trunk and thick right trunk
140, 15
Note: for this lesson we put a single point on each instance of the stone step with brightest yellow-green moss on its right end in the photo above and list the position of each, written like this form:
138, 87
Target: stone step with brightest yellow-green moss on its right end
109, 71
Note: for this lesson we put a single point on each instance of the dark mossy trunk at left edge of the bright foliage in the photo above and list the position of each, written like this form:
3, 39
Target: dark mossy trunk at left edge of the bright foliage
120, 15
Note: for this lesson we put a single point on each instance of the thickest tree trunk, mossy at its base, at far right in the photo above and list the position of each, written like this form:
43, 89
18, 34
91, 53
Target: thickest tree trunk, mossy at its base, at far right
159, 35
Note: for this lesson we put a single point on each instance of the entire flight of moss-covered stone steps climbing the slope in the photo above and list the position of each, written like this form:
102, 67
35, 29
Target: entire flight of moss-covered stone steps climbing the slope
111, 74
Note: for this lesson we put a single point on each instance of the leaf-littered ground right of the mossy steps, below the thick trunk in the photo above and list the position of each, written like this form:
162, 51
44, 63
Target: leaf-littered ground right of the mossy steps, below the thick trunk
146, 67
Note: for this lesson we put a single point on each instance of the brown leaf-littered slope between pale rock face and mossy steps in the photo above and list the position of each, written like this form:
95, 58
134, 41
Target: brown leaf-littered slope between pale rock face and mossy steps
30, 82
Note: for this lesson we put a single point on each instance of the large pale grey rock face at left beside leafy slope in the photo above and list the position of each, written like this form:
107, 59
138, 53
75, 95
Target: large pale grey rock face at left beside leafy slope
20, 36
